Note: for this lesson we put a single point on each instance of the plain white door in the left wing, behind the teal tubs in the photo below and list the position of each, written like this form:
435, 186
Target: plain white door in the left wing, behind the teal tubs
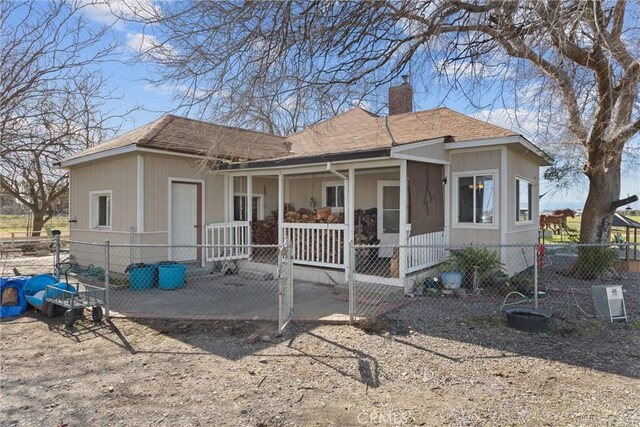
184, 221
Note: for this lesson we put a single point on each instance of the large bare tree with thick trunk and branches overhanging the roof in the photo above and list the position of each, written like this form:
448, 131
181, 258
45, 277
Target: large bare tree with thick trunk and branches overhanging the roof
578, 60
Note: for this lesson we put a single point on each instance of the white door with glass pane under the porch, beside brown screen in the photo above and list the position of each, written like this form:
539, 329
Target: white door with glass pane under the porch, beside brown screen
388, 215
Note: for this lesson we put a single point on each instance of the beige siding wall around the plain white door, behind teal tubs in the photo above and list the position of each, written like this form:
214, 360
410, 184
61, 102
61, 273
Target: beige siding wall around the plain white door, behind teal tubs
157, 171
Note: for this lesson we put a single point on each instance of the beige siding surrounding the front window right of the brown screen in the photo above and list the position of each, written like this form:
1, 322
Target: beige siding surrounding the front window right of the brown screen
470, 161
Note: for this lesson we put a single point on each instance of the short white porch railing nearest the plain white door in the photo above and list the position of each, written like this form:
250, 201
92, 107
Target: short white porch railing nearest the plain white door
227, 241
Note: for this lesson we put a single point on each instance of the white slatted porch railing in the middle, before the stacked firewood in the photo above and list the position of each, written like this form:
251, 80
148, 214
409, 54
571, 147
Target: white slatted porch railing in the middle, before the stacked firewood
316, 244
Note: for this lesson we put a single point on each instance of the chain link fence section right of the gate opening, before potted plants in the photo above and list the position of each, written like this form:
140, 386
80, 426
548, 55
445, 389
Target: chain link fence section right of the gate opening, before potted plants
482, 280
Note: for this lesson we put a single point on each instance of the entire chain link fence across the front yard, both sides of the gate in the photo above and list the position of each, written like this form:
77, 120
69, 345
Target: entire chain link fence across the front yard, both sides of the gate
257, 281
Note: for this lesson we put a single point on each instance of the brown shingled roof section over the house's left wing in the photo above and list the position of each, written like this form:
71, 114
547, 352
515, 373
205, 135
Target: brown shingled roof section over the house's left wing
179, 134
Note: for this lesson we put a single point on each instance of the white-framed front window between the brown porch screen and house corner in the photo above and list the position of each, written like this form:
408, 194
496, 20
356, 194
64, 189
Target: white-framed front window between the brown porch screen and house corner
476, 198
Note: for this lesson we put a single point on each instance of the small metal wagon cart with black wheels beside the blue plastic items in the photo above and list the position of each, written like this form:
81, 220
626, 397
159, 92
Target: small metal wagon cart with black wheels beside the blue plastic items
76, 297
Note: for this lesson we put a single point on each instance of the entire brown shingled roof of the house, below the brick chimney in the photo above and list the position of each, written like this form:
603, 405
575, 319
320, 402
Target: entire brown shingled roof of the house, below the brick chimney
354, 130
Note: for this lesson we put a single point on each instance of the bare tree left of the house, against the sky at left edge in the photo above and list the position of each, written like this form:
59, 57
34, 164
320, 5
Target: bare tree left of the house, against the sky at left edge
52, 99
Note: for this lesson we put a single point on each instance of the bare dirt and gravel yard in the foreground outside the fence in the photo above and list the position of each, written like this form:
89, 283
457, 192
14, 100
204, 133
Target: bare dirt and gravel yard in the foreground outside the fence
410, 368
